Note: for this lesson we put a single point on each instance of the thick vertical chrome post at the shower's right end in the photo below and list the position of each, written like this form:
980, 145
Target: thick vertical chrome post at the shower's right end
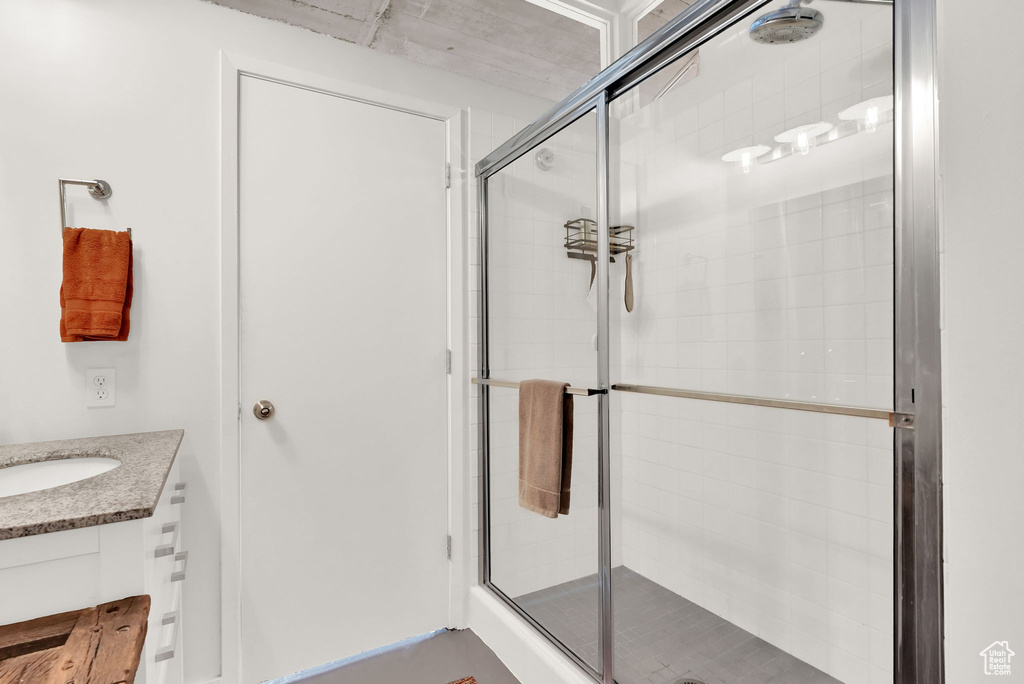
919, 609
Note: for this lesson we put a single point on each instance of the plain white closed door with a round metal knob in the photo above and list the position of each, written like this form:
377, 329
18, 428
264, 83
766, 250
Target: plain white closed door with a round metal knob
344, 317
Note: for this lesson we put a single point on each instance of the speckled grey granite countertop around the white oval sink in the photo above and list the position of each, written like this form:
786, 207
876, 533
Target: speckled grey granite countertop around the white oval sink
126, 493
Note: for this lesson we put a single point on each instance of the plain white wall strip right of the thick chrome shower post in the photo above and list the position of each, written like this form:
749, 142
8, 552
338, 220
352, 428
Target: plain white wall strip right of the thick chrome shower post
982, 94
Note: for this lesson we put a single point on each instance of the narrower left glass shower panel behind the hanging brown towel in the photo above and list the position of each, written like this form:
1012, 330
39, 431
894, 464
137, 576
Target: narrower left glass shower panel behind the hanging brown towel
543, 324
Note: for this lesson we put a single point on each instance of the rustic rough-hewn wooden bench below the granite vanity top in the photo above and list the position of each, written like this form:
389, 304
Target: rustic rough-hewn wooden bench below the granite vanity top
100, 646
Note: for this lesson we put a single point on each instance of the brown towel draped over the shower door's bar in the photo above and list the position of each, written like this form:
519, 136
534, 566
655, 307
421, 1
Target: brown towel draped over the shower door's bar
545, 447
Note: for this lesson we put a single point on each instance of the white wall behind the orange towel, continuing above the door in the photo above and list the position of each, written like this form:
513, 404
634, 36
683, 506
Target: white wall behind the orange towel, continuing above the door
129, 92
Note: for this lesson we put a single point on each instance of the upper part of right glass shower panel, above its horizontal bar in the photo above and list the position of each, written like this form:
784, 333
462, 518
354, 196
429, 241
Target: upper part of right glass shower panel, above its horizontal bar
763, 195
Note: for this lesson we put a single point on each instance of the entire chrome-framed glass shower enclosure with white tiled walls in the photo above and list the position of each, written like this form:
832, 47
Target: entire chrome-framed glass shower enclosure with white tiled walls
735, 269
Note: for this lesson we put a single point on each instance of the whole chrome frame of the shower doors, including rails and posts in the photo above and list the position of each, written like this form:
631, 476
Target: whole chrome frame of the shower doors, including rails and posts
918, 504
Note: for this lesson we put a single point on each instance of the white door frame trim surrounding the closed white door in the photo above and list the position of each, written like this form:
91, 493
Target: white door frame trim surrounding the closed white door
233, 68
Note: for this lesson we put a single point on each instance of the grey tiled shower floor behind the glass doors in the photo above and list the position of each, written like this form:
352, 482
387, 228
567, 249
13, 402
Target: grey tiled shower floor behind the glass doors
661, 637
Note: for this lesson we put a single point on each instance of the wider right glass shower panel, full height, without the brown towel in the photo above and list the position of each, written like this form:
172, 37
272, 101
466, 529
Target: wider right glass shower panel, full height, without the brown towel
756, 543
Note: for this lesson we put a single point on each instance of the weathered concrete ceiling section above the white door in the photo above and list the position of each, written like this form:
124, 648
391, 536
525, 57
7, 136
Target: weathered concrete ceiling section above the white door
510, 44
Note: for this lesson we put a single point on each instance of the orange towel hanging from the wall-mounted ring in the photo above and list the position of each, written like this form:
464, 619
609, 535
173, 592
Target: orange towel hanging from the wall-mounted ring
96, 295
